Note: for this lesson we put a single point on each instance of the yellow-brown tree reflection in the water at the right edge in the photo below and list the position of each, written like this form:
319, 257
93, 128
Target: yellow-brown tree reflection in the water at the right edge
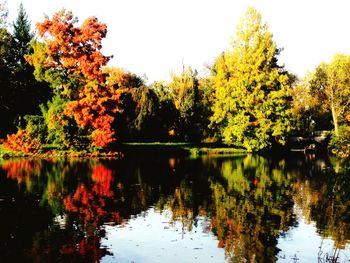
325, 199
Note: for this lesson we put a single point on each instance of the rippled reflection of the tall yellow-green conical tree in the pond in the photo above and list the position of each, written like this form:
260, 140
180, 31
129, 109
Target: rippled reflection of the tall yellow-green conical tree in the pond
252, 207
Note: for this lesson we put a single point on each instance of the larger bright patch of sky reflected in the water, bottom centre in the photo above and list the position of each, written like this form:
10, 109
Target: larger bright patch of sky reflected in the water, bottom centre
152, 238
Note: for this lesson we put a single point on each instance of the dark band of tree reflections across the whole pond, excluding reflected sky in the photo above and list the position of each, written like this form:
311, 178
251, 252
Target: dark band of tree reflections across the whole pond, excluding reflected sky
248, 200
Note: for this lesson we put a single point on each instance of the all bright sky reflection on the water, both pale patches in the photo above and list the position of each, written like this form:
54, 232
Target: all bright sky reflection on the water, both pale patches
151, 237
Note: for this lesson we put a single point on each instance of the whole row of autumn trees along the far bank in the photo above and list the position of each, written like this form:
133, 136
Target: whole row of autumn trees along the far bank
248, 100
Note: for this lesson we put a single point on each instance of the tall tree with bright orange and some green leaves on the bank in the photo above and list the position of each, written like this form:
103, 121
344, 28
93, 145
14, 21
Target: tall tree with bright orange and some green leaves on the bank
69, 58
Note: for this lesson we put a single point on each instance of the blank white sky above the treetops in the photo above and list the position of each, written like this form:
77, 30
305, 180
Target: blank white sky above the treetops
156, 37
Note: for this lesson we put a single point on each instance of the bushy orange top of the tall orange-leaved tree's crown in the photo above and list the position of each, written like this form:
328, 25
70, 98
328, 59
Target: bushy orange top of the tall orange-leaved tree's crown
74, 50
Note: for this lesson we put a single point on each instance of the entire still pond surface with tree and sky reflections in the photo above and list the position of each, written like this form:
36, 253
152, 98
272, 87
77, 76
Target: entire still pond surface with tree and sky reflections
251, 208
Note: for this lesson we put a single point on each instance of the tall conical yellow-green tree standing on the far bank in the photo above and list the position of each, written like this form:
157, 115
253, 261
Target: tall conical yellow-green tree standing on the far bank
252, 92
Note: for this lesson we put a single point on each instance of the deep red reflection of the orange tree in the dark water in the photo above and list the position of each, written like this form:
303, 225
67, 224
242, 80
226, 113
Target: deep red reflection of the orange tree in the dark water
90, 204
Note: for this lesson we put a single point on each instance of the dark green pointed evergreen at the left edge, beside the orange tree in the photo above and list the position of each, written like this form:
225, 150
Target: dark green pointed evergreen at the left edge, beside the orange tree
20, 93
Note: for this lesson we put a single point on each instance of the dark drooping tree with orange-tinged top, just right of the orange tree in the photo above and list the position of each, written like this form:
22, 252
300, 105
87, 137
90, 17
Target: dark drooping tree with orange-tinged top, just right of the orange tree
139, 115
